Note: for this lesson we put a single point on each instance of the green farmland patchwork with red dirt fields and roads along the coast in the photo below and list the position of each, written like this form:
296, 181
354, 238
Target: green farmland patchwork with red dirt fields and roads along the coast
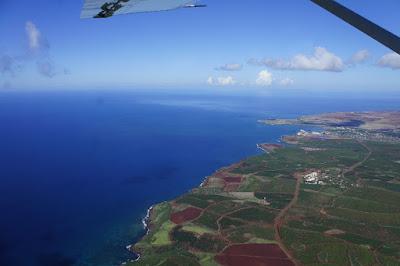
321, 201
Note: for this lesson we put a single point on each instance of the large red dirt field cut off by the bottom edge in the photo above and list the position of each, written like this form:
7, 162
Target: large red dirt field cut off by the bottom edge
254, 255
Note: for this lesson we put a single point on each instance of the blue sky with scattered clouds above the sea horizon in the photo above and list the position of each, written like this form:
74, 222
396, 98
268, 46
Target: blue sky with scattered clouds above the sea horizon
230, 45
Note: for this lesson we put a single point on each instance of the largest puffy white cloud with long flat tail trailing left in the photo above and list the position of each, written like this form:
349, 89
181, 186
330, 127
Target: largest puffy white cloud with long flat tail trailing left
321, 60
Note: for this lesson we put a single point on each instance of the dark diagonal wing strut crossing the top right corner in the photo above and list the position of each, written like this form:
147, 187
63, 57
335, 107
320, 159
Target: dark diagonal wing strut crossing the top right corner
376, 32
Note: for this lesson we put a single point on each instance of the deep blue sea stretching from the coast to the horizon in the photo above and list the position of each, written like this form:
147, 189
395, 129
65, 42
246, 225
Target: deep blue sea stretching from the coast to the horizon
78, 170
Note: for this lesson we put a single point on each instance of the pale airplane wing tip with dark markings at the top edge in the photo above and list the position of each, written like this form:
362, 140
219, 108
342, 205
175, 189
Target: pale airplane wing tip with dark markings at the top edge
109, 8
